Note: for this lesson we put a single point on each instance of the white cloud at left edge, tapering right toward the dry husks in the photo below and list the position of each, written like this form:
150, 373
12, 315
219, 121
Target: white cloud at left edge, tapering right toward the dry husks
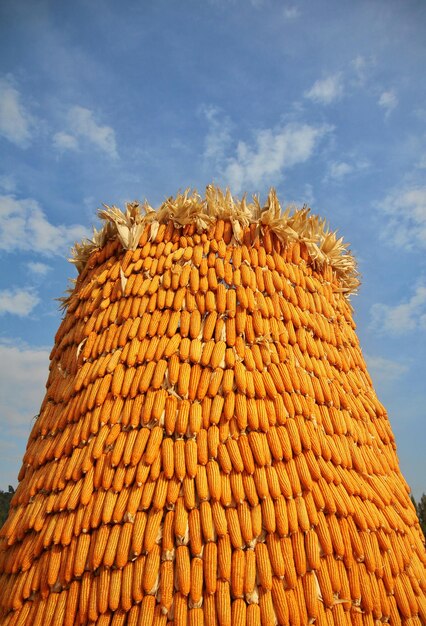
24, 226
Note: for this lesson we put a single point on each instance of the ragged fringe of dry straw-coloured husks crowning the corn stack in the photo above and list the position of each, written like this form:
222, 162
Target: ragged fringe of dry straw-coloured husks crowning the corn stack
323, 245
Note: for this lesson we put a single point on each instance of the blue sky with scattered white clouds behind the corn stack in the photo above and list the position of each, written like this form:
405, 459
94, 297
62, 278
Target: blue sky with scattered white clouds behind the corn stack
107, 102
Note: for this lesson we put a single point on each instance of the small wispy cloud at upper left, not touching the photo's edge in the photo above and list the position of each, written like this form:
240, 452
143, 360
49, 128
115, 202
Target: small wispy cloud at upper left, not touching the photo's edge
82, 126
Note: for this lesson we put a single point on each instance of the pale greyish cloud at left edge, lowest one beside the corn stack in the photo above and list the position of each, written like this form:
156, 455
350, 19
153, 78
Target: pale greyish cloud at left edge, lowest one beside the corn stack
23, 375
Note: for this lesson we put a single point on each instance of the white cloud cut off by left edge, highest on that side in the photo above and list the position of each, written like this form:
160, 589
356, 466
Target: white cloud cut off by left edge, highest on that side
15, 121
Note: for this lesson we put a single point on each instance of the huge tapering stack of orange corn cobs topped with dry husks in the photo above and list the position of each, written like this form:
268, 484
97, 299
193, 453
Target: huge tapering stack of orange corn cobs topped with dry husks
210, 449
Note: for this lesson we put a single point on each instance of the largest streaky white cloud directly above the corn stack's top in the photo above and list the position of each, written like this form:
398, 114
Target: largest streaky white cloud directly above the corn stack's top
273, 152
